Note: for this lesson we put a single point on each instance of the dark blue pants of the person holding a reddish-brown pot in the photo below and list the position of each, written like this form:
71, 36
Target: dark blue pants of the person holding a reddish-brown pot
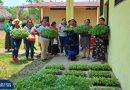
29, 45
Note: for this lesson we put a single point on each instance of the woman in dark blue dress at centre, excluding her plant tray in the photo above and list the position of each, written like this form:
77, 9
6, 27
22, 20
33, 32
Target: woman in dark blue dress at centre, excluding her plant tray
72, 42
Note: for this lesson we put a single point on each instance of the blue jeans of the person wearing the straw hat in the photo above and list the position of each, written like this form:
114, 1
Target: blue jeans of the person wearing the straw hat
16, 45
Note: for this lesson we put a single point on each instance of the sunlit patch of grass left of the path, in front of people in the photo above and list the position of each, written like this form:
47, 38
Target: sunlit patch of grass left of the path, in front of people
8, 68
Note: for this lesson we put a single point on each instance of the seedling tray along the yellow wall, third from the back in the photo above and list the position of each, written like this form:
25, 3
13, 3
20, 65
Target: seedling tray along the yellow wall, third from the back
105, 82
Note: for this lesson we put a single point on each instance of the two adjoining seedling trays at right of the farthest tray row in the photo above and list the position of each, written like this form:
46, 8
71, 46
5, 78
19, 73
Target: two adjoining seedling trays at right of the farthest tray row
85, 67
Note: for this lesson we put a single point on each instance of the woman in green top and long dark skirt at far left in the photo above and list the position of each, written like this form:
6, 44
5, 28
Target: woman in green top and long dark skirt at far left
7, 28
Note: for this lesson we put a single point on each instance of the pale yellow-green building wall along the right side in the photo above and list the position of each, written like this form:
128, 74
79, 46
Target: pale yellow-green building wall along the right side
117, 14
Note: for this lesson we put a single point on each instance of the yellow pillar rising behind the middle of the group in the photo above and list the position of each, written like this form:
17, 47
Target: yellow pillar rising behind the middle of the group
69, 9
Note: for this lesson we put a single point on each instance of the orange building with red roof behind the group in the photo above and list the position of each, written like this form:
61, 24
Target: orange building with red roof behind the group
55, 11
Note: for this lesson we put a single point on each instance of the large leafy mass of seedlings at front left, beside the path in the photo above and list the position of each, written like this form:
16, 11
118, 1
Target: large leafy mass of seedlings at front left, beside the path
37, 81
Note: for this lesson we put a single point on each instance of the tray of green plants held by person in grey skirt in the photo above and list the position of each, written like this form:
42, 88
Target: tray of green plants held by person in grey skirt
82, 29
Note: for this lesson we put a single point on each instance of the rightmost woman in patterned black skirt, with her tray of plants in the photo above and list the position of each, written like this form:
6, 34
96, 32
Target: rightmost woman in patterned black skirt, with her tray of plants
101, 35
